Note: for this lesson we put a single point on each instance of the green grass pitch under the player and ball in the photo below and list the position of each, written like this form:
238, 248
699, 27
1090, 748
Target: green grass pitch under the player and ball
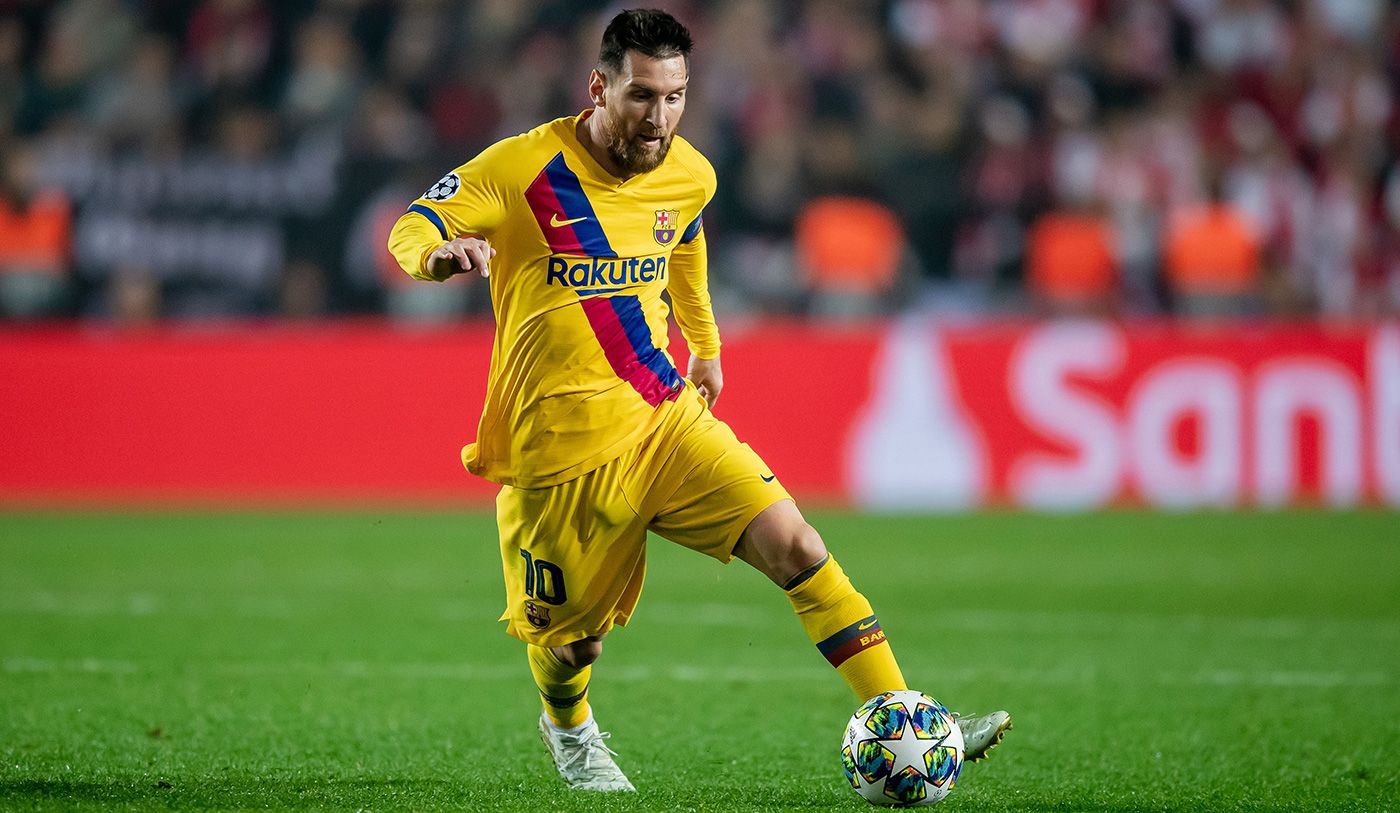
353, 661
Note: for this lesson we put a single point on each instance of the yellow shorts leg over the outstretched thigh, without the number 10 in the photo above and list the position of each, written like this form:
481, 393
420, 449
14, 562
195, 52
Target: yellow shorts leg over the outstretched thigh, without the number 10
715, 486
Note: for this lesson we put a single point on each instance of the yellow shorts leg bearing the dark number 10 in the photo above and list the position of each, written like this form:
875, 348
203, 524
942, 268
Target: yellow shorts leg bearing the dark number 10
573, 559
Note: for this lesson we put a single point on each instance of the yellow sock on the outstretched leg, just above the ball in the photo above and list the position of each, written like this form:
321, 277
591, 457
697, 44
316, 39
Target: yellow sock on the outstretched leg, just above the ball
842, 625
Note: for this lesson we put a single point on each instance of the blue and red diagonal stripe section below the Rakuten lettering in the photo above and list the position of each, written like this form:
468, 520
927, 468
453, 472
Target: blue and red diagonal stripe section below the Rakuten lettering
622, 331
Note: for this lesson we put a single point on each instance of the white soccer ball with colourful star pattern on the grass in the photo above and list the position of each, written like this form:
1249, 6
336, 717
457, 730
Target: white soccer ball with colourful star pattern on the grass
902, 749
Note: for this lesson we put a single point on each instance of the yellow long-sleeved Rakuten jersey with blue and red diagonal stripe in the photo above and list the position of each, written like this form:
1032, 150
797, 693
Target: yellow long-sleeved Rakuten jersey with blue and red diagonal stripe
580, 372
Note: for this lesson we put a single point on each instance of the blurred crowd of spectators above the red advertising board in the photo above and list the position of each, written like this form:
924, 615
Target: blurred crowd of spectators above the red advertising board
191, 159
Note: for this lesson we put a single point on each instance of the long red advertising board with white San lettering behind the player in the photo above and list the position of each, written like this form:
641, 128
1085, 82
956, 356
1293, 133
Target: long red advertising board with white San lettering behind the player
908, 415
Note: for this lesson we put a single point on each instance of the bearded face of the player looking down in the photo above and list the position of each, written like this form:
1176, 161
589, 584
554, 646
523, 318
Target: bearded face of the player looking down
642, 107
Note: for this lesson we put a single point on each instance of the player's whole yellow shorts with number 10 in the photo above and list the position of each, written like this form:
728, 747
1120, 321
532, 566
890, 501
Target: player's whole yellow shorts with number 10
575, 555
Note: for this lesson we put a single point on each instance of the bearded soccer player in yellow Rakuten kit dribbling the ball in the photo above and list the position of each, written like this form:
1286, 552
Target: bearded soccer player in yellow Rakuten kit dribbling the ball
594, 436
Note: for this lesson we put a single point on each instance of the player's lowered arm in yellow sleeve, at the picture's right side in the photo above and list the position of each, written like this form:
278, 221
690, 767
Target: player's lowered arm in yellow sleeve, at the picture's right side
689, 289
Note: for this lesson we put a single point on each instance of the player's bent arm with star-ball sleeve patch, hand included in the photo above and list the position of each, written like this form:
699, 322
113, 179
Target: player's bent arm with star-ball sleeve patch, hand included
447, 232
